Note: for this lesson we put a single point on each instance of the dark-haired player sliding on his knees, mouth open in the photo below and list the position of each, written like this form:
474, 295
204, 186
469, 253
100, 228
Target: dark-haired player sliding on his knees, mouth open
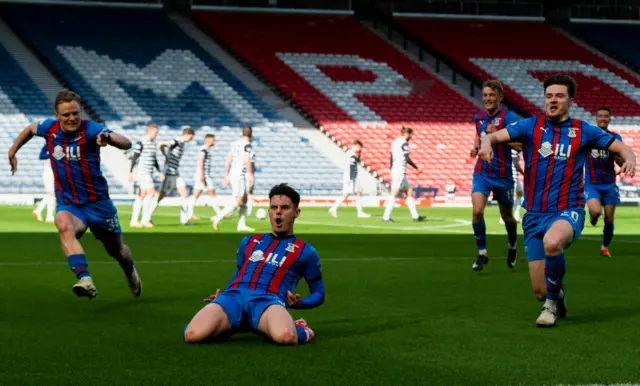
269, 268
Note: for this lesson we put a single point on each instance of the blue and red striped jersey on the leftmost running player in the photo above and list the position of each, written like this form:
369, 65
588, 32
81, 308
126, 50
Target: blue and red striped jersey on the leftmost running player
75, 160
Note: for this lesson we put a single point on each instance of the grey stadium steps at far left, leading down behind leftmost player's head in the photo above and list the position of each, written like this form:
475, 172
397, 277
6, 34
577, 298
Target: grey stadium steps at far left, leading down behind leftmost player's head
29, 63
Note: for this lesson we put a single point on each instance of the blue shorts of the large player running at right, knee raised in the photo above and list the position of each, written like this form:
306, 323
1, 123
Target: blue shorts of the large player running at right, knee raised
536, 224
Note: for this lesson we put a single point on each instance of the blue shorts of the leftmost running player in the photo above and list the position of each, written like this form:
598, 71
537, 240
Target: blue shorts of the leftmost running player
101, 217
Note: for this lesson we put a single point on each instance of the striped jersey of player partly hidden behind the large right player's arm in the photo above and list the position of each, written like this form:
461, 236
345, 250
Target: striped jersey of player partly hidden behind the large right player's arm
500, 166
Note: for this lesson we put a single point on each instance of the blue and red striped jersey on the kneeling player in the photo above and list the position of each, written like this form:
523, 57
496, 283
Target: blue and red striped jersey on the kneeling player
275, 265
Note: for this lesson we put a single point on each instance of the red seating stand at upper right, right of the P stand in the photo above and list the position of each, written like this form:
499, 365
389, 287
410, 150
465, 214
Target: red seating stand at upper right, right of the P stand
522, 53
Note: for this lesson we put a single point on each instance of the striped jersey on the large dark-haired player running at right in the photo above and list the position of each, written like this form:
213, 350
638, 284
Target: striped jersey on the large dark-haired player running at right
554, 156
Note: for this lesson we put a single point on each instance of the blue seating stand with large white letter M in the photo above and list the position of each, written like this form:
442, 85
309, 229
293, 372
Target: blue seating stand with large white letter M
152, 71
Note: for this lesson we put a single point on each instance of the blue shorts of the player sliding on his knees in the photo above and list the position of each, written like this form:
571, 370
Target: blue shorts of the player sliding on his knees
244, 307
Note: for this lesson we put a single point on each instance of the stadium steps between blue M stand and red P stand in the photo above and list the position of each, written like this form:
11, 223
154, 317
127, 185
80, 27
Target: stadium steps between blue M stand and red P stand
318, 139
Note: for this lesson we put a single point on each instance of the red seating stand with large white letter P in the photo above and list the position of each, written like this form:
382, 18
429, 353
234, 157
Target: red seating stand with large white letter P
353, 84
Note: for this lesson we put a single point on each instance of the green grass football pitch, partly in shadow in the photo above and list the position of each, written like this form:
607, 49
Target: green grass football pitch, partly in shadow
402, 307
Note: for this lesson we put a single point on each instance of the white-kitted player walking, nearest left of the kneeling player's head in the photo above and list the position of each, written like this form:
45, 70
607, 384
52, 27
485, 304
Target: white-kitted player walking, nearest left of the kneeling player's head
237, 165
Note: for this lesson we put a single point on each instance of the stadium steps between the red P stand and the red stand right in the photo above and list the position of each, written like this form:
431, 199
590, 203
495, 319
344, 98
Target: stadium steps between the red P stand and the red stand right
447, 75
